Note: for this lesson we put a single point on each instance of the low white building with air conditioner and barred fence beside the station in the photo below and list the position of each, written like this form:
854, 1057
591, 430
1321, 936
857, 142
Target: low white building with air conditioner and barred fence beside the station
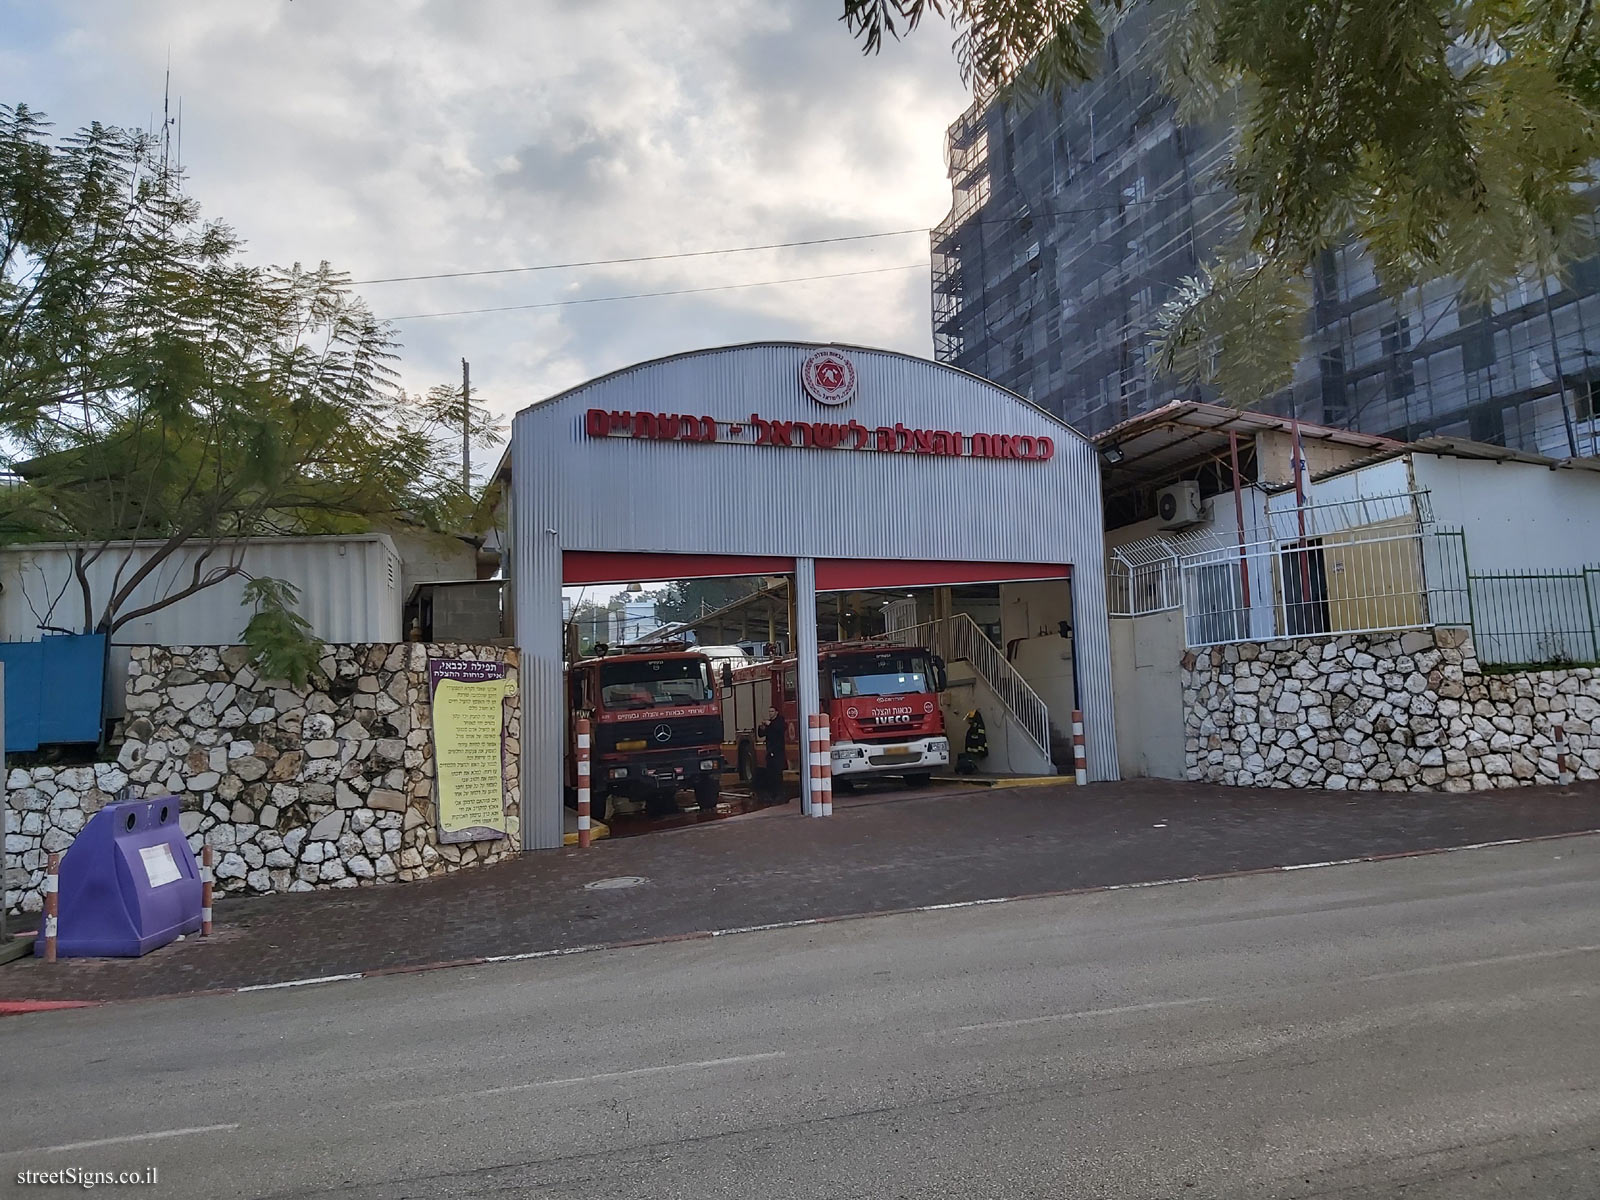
1372, 537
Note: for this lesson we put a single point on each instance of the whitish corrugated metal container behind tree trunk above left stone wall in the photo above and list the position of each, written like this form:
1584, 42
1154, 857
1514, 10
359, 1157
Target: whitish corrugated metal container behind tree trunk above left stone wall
350, 591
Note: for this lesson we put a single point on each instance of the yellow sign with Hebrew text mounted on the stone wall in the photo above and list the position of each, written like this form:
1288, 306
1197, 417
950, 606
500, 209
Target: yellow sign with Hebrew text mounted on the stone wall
468, 750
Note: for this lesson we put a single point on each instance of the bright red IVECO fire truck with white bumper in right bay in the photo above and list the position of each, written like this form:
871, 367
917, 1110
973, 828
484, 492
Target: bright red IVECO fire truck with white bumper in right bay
882, 705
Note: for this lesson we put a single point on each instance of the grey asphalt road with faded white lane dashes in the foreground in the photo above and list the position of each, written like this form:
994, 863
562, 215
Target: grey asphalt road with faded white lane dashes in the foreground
1423, 1028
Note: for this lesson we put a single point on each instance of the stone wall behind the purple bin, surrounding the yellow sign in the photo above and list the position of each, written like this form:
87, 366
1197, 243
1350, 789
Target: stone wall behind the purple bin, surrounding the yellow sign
326, 786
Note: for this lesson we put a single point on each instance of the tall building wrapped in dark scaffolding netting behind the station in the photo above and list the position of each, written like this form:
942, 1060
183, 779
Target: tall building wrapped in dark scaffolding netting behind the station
1073, 222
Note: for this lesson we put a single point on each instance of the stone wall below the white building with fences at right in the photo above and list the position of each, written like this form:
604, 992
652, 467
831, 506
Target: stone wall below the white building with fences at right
1394, 713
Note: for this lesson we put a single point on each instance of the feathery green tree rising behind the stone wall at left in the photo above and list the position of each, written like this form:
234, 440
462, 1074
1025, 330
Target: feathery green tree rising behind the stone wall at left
162, 401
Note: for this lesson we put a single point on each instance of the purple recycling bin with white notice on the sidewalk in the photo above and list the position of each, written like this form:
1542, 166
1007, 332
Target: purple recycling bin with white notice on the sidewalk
129, 884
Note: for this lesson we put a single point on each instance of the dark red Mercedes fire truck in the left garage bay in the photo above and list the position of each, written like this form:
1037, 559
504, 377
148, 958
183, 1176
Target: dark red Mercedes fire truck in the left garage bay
657, 727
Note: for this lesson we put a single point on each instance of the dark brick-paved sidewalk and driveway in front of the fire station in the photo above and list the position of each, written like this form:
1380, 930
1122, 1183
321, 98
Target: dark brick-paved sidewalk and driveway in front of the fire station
892, 854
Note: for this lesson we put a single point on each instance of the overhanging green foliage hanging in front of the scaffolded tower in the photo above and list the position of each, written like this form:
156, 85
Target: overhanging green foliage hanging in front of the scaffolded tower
1452, 138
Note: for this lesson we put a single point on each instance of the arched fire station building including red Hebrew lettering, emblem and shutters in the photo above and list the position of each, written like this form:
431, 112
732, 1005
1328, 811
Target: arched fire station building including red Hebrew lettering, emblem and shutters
847, 471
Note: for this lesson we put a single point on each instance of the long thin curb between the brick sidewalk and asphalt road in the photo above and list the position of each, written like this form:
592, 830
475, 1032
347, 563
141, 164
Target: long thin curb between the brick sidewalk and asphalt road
22, 1007
